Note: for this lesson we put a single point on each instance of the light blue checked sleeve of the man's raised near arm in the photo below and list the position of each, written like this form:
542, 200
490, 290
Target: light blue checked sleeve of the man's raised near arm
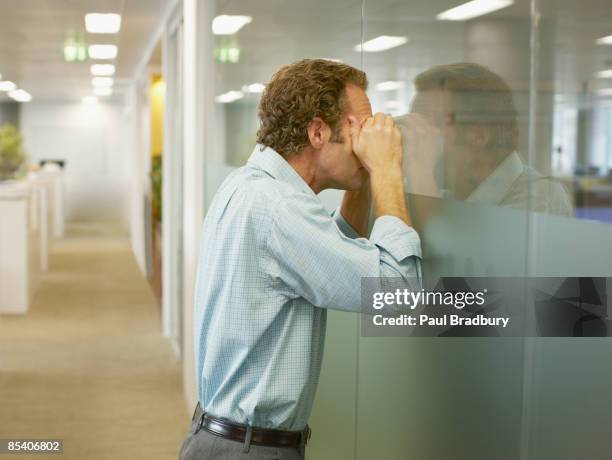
309, 256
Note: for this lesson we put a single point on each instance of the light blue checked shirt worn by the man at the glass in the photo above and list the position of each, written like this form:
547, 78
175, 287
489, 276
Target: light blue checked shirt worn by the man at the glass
272, 259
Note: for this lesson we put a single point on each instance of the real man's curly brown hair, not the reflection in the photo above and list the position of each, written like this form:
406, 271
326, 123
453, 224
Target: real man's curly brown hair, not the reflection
300, 92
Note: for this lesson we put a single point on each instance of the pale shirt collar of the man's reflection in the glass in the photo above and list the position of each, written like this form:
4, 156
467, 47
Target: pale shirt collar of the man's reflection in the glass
497, 185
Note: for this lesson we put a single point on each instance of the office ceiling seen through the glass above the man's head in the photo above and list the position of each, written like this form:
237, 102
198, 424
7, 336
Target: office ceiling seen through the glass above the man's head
285, 30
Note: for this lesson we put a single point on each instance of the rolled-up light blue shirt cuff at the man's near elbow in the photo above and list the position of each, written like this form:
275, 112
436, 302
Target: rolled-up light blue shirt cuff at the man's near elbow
397, 238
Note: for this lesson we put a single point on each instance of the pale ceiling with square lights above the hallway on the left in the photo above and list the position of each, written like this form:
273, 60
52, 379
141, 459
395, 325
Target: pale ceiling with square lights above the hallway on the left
32, 34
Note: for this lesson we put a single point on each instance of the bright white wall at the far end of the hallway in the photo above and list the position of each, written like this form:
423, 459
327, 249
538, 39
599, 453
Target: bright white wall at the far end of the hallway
92, 140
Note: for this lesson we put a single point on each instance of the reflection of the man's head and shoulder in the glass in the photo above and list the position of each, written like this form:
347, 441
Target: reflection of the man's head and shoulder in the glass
465, 124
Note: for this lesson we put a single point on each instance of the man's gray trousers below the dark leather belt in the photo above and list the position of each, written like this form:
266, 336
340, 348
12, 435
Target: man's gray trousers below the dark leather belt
202, 445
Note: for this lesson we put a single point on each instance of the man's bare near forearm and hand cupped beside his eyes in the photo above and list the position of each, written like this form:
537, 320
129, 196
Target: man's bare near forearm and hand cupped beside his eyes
378, 145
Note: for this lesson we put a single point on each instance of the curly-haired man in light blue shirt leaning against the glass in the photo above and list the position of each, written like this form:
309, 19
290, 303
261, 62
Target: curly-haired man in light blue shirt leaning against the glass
273, 259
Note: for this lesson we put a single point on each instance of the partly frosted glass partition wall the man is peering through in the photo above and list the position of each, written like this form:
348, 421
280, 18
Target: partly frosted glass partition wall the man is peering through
506, 118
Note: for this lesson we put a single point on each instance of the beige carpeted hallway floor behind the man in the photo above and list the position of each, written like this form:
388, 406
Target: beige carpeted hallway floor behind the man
88, 363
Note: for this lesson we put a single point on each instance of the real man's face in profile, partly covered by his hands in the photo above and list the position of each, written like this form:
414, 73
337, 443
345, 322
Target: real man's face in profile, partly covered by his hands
337, 161
